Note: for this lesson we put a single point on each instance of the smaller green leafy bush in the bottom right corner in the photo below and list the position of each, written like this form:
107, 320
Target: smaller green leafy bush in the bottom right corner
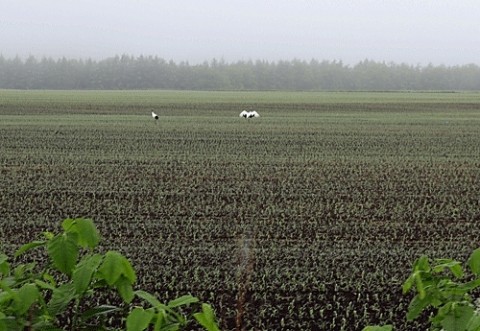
438, 285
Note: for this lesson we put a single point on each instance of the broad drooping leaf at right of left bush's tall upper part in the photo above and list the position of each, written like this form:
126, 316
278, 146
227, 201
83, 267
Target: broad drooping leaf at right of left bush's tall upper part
115, 265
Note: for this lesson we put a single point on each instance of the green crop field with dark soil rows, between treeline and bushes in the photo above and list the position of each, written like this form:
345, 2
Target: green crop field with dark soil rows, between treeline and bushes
308, 217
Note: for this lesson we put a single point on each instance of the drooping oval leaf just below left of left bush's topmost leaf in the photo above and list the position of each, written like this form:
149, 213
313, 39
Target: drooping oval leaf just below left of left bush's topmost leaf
63, 251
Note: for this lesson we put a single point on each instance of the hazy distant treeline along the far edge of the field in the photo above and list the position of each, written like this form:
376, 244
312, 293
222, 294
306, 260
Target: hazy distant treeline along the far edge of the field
148, 72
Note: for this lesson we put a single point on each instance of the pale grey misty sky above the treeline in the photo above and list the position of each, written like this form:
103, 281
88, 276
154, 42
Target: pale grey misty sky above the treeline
402, 31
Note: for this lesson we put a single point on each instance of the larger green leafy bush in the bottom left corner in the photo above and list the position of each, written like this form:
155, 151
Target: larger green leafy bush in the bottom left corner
34, 296
